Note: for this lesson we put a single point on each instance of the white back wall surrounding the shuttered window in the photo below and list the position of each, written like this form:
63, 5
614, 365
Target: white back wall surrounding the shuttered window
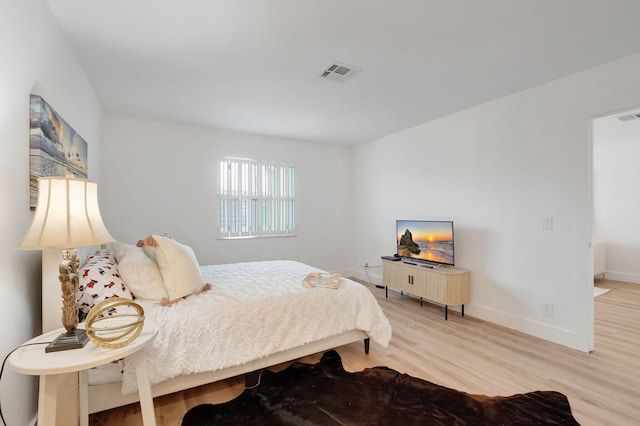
162, 178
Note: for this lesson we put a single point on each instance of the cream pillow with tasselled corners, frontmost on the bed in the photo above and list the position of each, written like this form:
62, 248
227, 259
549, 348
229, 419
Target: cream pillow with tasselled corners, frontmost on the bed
179, 267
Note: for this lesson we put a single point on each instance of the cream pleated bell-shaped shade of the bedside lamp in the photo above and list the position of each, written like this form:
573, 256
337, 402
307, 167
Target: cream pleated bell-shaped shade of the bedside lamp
67, 215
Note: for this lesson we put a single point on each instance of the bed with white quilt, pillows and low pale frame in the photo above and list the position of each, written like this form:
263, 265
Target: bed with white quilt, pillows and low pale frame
256, 315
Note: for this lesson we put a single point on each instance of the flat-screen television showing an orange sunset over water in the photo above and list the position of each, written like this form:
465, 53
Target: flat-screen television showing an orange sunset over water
427, 241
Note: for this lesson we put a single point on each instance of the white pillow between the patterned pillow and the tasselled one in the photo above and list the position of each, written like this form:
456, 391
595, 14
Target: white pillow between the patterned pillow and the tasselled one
141, 274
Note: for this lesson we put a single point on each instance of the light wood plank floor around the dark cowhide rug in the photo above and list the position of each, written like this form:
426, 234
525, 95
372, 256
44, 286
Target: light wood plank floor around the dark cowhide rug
477, 357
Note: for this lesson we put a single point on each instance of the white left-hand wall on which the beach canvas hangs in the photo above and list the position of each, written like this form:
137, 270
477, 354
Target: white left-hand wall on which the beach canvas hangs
34, 57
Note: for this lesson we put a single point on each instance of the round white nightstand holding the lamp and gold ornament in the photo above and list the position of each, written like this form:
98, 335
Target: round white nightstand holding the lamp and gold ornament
34, 361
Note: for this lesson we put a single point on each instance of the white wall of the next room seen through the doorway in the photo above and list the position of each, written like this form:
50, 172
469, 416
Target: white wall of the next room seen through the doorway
617, 207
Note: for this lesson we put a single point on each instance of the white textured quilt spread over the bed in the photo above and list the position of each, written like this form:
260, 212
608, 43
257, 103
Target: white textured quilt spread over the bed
254, 309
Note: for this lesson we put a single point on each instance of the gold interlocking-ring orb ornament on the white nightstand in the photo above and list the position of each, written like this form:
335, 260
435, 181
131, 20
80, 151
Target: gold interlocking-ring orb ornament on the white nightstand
114, 331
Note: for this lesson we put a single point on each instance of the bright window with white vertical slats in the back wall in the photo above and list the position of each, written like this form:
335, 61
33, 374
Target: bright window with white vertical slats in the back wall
255, 199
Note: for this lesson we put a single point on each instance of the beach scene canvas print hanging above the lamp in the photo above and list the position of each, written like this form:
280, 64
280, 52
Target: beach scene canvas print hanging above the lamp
55, 148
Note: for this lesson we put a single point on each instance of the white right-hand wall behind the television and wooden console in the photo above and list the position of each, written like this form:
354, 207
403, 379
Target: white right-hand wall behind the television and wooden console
497, 170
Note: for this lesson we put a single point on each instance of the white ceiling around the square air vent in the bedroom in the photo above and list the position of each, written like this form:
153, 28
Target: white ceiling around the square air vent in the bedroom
254, 65
